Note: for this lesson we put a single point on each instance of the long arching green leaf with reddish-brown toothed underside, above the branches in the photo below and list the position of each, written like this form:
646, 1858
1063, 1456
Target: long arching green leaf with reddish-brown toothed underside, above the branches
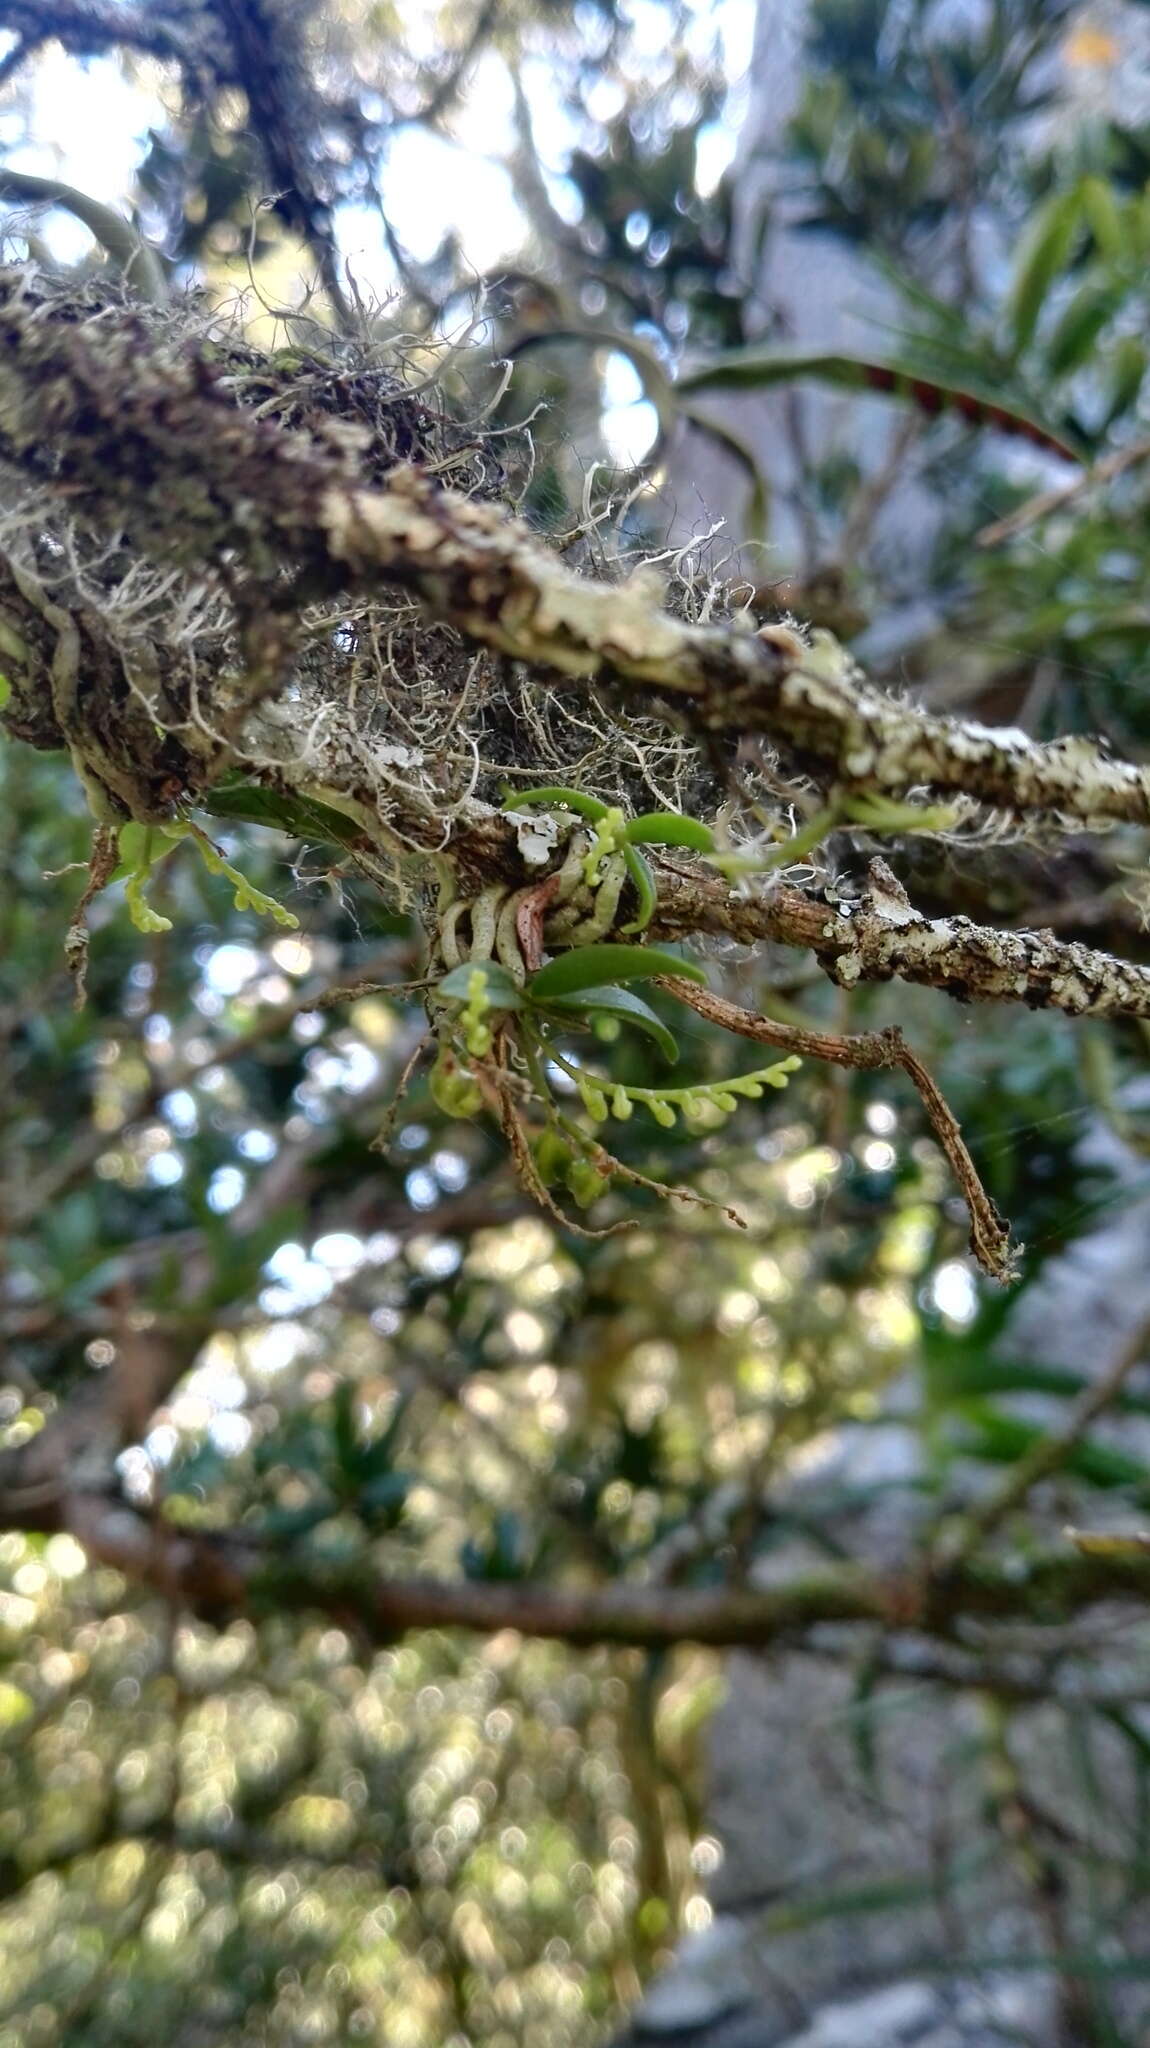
977, 400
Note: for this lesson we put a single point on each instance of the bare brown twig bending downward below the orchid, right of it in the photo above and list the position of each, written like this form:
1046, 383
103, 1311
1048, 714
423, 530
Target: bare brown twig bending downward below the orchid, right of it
989, 1236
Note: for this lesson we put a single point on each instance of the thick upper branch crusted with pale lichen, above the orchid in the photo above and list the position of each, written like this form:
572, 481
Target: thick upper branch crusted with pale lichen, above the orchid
146, 437
